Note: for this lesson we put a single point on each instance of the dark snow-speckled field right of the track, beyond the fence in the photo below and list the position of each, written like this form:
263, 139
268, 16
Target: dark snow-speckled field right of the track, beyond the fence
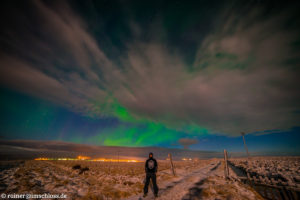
273, 177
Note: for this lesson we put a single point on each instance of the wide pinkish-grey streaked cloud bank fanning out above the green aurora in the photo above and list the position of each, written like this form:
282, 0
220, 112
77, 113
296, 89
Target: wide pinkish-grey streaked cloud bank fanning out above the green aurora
243, 78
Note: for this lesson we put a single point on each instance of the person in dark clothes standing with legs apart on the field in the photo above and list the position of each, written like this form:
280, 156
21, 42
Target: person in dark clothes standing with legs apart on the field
151, 169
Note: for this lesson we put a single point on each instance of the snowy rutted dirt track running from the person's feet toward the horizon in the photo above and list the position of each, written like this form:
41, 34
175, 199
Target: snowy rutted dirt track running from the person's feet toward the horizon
206, 182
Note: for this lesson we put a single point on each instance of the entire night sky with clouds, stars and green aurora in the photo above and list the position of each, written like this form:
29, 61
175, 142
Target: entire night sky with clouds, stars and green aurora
180, 74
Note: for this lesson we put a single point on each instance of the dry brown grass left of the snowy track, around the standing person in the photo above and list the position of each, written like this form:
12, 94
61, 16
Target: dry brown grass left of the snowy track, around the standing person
102, 180
